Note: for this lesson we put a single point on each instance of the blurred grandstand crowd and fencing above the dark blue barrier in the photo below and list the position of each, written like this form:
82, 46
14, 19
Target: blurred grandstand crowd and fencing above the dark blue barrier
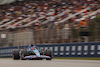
49, 21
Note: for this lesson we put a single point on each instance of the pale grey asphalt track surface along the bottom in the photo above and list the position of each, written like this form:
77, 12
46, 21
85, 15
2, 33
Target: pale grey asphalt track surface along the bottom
49, 63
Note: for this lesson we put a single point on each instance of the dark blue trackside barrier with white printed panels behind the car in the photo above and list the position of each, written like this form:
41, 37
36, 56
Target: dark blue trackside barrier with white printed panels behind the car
91, 49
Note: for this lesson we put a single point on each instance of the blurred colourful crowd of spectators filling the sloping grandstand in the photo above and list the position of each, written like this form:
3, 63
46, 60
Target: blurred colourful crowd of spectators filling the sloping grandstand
34, 13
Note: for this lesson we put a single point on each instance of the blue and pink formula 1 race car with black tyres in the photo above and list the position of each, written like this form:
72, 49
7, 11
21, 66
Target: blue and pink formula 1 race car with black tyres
32, 52
